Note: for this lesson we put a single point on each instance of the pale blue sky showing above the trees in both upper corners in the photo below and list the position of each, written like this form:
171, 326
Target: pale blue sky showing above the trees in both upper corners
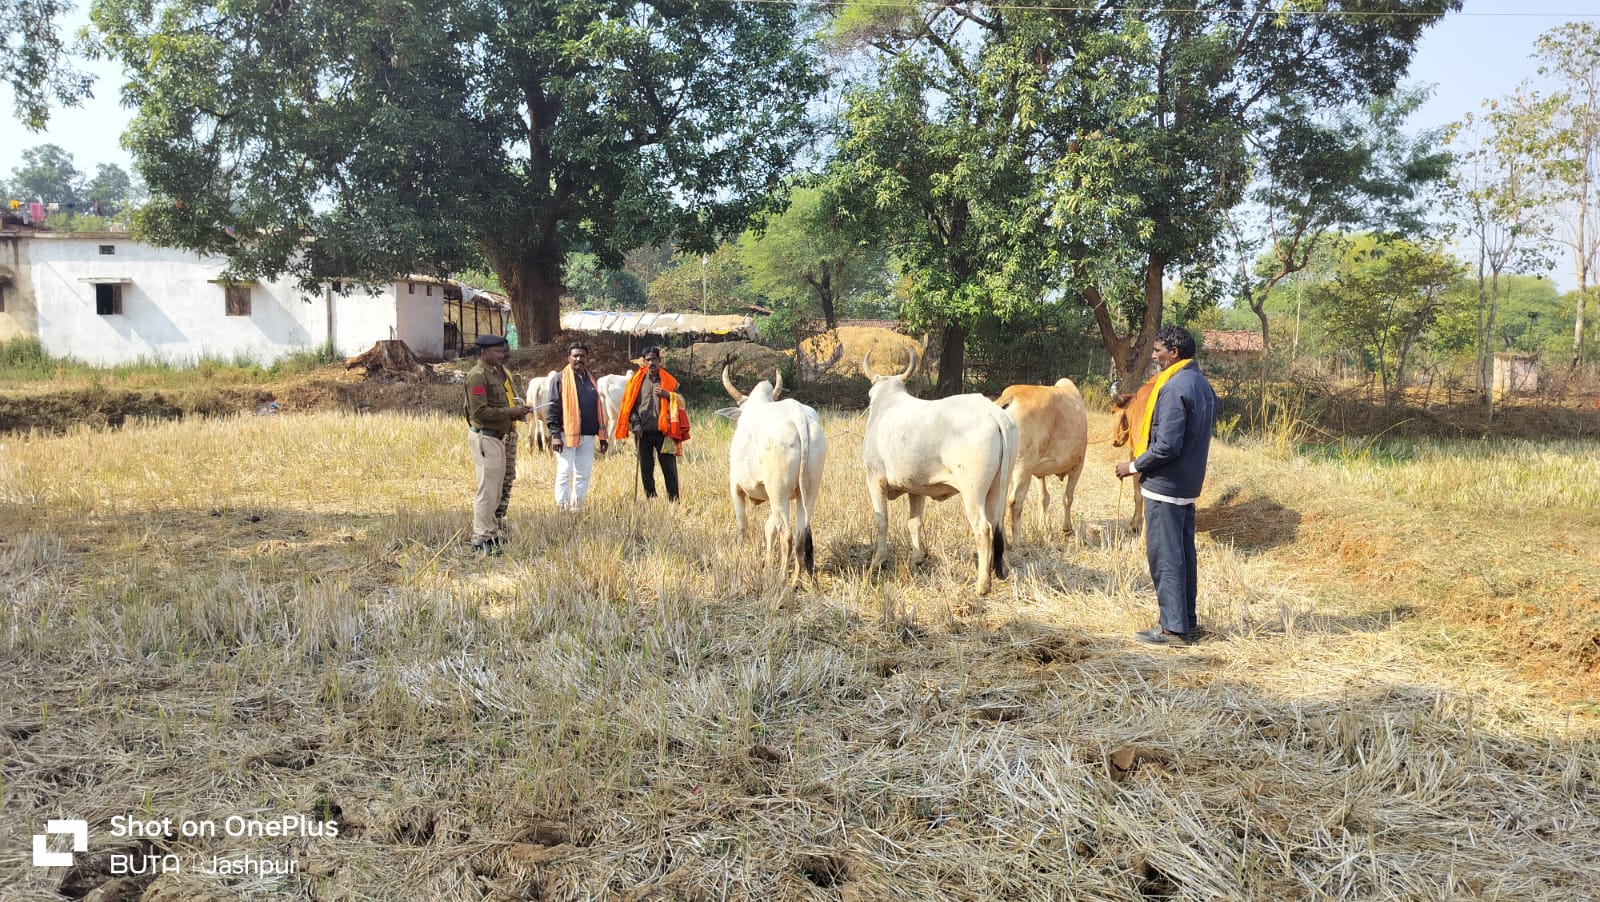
1479, 54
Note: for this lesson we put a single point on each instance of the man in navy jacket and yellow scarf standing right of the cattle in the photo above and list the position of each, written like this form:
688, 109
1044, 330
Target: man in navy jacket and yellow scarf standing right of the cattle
1170, 455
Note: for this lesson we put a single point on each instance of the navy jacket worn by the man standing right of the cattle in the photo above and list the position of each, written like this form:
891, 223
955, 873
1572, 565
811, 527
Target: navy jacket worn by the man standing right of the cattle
1180, 436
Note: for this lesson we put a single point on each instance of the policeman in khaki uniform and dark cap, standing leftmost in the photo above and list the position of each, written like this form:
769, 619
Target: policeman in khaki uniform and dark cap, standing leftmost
492, 412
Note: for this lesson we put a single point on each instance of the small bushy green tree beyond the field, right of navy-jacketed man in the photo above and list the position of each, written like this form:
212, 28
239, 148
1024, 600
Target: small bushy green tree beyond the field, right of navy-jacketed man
1383, 300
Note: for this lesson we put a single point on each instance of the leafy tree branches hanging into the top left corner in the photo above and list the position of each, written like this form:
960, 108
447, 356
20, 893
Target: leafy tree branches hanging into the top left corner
38, 68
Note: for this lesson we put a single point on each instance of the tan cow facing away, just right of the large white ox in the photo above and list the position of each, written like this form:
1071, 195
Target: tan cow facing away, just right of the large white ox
1055, 434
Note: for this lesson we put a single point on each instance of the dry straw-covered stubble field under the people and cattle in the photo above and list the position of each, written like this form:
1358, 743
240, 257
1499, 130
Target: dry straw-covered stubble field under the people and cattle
278, 617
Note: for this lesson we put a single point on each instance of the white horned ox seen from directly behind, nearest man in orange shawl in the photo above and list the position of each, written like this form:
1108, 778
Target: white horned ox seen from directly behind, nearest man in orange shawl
777, 457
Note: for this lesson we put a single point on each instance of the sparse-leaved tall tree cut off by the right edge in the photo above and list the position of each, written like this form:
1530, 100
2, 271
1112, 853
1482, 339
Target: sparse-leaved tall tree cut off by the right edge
1567, 145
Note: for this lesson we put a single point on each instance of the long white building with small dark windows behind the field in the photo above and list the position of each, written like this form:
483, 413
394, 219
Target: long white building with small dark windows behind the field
106, 298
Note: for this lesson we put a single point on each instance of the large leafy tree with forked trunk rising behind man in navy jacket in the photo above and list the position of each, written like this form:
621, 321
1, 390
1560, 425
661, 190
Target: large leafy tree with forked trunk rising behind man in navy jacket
1191, 95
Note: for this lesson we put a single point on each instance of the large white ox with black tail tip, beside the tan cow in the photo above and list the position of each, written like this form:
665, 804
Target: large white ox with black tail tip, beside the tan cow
961, 445
